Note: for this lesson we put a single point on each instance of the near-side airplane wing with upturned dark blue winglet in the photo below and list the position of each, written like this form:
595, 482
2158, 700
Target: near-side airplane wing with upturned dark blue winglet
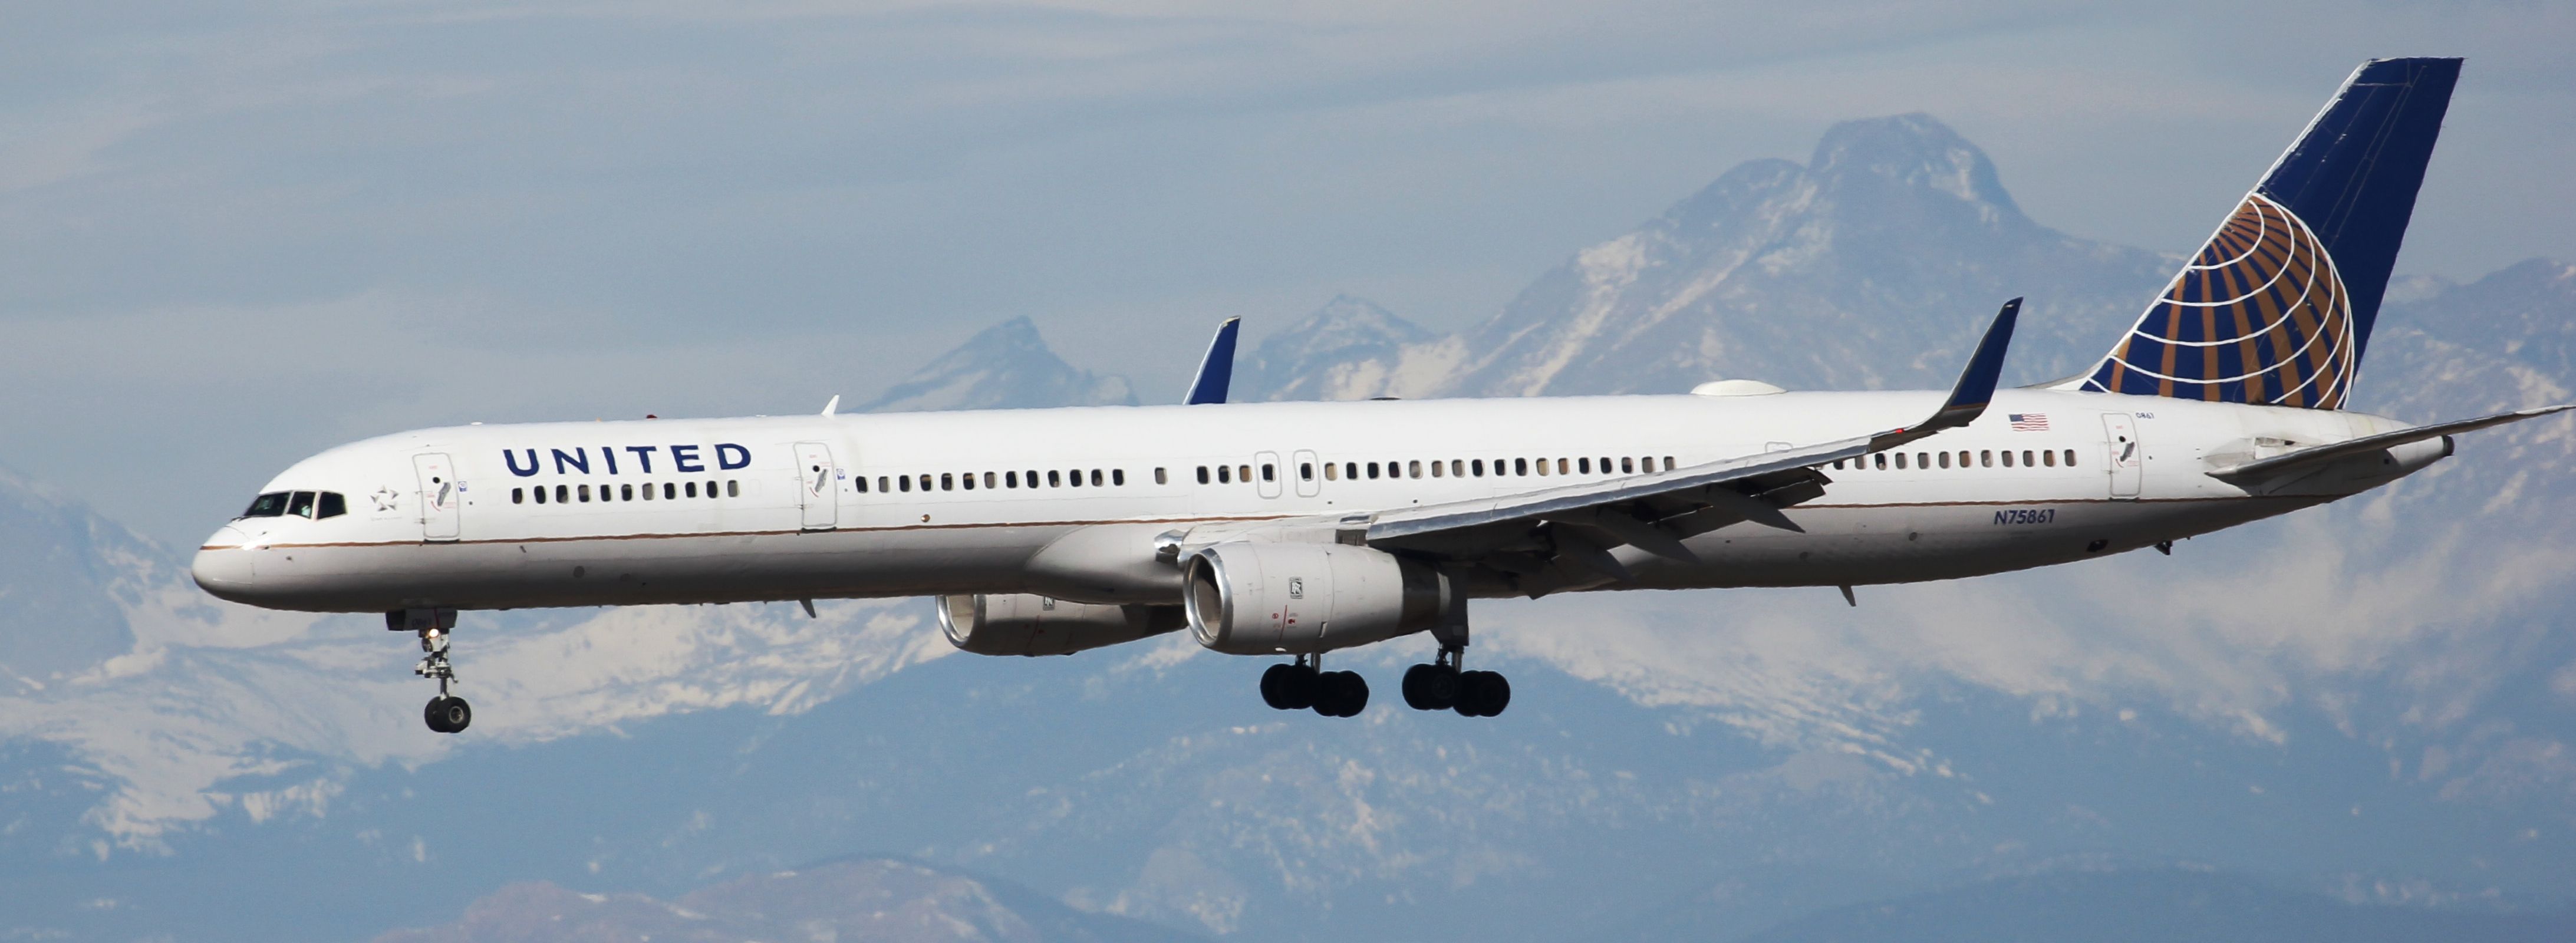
1537, 532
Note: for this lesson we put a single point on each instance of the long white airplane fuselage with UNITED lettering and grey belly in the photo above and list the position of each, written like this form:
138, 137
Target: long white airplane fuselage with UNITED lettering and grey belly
869, 506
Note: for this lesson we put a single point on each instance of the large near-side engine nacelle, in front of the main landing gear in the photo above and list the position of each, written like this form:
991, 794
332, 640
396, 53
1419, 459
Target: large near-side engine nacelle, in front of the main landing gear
1302, 599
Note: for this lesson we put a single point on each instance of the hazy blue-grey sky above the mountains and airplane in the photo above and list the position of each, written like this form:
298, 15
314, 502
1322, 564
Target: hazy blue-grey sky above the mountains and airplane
233, 236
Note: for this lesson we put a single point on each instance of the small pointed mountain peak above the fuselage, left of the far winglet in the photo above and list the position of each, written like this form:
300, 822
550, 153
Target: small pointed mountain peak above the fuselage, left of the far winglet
1009, 367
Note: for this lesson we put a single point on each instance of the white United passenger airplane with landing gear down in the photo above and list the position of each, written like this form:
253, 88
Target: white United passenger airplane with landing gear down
1294, 529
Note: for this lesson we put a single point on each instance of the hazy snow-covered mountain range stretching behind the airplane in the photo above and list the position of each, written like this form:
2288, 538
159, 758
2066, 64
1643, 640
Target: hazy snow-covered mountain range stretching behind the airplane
2374, 702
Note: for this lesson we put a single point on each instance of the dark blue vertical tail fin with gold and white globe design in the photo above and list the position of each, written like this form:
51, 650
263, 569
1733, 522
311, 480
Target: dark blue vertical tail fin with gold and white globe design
2278, 305
